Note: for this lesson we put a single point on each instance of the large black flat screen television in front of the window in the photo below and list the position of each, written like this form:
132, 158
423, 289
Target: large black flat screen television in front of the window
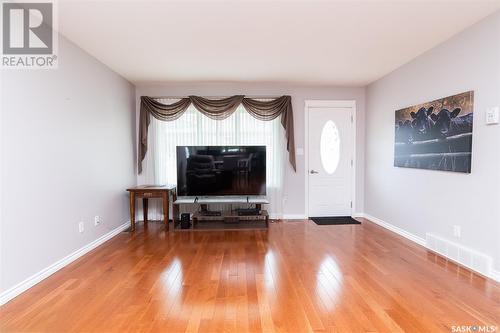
221, 170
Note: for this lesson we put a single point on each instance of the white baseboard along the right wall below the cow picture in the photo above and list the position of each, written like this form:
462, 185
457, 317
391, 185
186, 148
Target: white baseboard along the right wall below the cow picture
490, 273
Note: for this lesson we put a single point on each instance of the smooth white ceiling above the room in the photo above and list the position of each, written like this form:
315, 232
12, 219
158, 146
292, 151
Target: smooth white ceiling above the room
349, 43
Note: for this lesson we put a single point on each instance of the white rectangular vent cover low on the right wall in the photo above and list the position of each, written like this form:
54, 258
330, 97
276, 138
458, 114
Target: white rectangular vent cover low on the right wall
465, 256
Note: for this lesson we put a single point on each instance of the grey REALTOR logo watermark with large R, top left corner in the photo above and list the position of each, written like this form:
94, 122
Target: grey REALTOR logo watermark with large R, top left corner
29, 37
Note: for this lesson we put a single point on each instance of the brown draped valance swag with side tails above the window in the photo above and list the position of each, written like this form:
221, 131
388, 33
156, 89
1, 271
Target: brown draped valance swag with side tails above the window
217, 109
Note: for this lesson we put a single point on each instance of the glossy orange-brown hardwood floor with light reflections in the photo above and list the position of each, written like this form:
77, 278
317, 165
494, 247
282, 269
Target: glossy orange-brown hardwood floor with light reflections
294, 277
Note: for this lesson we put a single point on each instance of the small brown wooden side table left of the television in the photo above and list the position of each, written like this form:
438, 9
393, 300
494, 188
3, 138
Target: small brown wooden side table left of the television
150, 191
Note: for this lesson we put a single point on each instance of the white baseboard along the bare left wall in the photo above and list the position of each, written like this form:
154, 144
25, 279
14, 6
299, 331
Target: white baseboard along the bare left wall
46, 272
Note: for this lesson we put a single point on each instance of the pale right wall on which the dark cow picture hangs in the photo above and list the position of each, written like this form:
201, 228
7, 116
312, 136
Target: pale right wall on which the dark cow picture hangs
421, 201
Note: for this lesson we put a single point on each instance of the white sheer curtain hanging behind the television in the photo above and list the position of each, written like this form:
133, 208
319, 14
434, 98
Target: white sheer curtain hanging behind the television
194, 128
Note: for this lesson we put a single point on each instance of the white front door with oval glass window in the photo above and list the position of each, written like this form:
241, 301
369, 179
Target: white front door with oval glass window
330, 158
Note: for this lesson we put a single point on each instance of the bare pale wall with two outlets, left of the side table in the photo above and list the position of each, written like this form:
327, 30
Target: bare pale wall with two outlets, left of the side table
67, 141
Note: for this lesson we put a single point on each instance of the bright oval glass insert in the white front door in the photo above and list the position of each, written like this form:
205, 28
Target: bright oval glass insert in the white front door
330, 147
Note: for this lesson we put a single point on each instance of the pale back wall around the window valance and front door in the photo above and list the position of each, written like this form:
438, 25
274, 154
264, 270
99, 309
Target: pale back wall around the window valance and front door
294, 182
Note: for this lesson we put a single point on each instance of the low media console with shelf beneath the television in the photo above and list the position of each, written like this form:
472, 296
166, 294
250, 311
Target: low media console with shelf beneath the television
227, 215
